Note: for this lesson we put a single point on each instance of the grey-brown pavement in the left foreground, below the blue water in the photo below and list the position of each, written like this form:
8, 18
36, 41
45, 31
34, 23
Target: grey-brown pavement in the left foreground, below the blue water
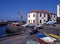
18, 39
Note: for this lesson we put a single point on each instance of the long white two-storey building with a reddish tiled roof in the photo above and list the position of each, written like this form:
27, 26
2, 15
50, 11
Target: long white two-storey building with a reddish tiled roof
38, 17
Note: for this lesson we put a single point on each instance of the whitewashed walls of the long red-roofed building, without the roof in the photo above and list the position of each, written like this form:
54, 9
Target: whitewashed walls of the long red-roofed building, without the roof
37, 18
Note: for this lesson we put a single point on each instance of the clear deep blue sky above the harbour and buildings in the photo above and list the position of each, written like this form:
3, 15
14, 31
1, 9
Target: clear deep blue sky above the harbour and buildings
9, 8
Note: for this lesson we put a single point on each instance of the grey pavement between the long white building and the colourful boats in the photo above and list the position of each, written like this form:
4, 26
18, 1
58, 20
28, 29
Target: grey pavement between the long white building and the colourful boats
50, 29
